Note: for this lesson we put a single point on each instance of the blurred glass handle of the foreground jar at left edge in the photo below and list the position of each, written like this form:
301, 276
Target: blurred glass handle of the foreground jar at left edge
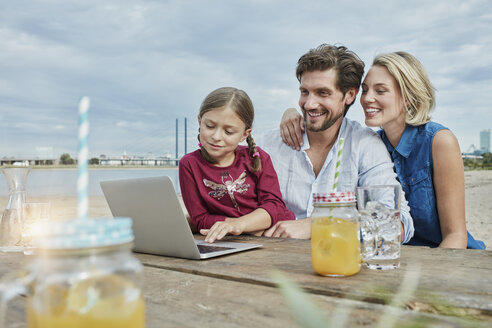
12, 284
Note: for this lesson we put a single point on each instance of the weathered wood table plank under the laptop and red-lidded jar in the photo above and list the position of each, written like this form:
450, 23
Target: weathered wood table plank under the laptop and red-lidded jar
449, 281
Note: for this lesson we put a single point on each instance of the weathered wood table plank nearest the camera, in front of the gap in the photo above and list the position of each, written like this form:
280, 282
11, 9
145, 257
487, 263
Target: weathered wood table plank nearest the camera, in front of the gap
180, 299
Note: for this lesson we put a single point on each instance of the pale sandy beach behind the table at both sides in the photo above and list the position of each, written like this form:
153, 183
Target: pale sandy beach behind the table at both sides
478, 205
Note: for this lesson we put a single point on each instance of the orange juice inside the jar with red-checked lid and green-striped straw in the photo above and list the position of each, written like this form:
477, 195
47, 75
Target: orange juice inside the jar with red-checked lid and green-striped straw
335, 246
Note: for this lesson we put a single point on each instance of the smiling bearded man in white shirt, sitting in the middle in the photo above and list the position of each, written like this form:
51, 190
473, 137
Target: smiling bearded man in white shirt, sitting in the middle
330, 77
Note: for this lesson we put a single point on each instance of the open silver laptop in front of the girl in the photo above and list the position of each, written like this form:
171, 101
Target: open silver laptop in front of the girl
159, 224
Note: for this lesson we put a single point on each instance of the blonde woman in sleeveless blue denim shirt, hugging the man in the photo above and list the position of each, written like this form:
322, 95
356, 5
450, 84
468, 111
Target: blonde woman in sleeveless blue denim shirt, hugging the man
398, 96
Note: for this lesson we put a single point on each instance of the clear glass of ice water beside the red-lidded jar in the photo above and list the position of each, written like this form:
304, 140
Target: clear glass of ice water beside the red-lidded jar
380, 205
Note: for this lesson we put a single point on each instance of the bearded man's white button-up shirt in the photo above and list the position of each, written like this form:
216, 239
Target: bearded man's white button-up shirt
365, 161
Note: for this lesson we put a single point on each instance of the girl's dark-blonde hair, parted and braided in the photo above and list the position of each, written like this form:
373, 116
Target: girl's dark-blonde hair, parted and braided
241, 104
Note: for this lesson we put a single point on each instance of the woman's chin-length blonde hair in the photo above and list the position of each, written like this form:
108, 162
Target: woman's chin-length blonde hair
416, 89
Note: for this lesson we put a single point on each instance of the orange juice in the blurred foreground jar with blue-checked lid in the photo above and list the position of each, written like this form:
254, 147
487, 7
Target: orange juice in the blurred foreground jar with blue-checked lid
102, 302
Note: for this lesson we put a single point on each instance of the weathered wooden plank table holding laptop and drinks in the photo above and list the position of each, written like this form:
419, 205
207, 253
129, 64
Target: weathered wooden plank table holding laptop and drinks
453, 288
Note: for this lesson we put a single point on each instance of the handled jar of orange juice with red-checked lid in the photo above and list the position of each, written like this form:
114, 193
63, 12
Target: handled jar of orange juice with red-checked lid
335, 235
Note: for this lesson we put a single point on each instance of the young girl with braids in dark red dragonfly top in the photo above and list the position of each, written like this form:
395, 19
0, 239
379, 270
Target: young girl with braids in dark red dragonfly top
228, 188
